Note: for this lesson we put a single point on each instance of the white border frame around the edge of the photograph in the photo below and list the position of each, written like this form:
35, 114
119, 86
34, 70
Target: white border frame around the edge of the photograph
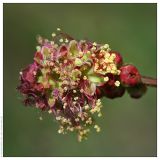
77, 1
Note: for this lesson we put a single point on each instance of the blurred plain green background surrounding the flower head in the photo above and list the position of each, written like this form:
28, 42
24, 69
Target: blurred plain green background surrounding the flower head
129, 126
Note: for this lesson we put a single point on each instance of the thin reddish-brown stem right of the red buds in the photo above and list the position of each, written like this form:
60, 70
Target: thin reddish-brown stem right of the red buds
149, 81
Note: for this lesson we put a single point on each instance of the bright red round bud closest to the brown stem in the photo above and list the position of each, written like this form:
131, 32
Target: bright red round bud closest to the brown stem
129, 75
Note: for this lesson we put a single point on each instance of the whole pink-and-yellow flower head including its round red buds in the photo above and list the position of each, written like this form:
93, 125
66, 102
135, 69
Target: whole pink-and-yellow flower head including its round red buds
68, 78
